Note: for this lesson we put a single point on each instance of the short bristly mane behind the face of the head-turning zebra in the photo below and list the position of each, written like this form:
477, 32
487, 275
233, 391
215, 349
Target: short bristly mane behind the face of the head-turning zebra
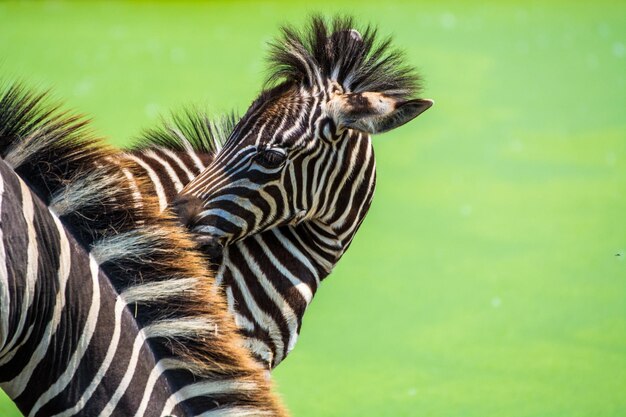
189, 129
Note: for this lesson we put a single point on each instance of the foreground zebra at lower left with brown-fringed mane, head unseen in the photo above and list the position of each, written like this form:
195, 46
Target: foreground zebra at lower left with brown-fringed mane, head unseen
105, 306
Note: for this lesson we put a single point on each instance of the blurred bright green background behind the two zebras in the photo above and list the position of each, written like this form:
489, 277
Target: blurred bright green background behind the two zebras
489, 278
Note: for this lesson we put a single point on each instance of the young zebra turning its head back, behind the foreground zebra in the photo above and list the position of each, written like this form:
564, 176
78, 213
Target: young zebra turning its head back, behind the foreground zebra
276, 197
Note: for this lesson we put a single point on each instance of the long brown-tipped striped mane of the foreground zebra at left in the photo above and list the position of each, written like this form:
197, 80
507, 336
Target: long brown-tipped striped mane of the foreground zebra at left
147, 256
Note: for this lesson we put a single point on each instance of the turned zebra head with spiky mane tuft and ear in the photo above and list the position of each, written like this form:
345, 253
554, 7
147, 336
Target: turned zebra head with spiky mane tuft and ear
302, 151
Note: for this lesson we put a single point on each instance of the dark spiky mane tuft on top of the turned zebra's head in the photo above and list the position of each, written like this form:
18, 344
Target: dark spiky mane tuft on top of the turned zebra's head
339, 51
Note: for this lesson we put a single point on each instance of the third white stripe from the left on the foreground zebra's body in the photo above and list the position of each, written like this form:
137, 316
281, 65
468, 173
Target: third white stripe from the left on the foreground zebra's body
16, 386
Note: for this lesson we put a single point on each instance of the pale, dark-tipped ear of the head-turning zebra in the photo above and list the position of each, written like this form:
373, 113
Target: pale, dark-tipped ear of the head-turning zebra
374, 112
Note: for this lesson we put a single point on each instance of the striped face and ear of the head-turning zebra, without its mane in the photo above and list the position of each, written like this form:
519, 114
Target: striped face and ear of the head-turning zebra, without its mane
299, 154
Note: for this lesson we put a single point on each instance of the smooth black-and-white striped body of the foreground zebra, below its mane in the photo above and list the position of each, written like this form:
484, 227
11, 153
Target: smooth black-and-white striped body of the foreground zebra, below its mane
51, 339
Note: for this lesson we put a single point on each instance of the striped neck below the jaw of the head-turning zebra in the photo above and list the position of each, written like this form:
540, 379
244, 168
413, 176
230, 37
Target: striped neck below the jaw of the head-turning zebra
269, 280
